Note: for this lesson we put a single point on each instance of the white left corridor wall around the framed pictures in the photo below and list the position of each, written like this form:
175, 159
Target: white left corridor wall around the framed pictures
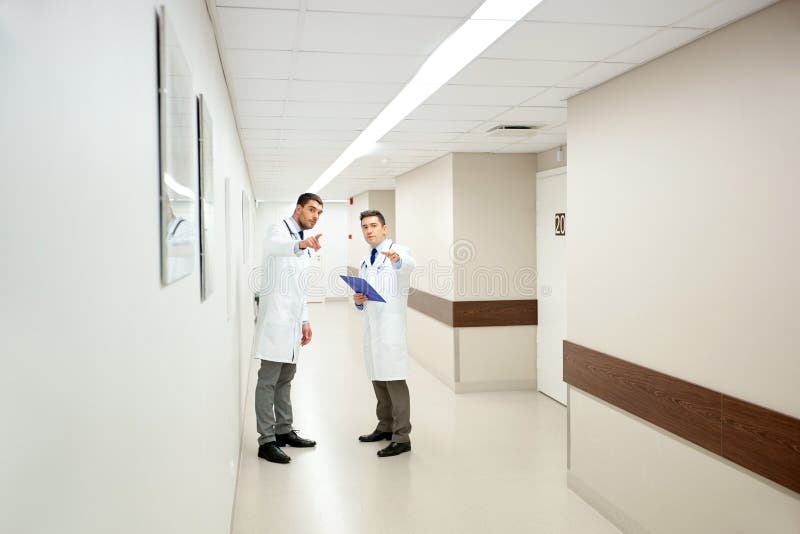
119, 398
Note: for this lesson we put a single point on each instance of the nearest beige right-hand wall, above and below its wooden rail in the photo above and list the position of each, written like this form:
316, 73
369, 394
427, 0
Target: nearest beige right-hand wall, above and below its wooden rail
683, 257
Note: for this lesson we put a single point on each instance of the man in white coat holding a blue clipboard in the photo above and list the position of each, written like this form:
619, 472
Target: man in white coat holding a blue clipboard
388, 269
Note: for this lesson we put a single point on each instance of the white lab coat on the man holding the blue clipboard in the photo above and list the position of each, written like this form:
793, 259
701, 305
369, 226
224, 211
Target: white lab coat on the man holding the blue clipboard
385, 352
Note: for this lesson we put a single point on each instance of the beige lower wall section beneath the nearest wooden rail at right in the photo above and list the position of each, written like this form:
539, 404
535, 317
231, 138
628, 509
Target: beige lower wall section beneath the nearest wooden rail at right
668, 485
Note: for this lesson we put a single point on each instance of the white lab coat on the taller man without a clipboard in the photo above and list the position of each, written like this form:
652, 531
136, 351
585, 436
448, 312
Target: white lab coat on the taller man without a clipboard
282, 304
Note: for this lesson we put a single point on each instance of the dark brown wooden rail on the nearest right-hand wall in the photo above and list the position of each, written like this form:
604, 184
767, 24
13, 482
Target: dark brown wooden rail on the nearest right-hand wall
759, 439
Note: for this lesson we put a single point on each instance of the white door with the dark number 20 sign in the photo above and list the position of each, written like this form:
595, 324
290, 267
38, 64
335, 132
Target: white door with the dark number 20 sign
551, 225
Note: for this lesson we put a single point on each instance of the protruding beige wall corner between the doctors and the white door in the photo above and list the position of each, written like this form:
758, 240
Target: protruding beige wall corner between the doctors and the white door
468, 218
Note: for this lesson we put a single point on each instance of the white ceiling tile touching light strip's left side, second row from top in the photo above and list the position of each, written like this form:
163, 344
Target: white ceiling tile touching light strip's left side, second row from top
354, 33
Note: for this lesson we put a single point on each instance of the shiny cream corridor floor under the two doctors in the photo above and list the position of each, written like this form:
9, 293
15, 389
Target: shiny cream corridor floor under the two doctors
480, 463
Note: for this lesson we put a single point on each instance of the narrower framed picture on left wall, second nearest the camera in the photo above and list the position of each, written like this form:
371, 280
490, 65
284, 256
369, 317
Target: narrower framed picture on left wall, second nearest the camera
205, 151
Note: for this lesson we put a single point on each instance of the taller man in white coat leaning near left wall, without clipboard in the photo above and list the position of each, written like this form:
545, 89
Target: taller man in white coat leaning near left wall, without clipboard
282, 326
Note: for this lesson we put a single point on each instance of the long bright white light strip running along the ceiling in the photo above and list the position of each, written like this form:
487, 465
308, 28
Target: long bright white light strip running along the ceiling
492, 19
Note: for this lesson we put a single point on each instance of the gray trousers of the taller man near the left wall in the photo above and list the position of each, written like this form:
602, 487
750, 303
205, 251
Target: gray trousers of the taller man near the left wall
273, 399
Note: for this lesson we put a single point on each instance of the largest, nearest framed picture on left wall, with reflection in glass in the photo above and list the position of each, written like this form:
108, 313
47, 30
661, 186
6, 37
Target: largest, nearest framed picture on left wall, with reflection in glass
177, 163
